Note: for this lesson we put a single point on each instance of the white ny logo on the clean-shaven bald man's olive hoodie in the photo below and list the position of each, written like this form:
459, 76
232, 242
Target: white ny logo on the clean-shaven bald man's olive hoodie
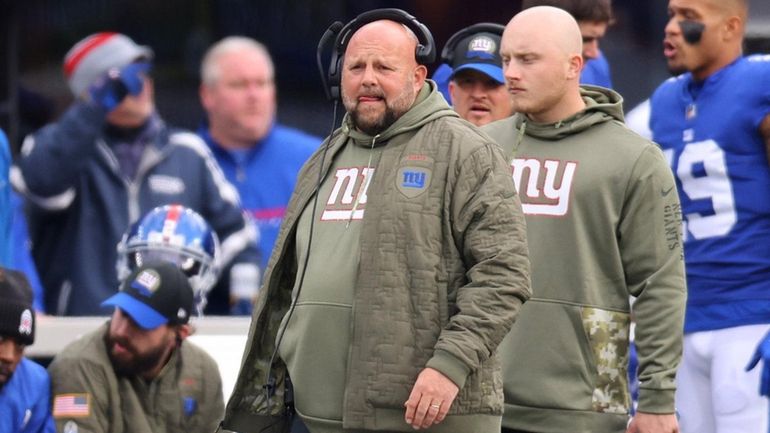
544, 186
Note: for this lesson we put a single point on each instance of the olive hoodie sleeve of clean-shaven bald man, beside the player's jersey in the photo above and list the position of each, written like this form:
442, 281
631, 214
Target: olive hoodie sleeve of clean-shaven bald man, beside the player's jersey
652, 254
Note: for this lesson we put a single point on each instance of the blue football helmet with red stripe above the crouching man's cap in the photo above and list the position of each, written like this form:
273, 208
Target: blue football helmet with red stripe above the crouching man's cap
176, 234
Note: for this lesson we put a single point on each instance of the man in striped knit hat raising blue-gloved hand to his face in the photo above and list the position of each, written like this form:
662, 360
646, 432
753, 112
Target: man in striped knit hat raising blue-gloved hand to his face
107, 161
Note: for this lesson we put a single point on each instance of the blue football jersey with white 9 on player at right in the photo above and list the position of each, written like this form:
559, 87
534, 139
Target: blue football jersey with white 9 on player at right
709, 131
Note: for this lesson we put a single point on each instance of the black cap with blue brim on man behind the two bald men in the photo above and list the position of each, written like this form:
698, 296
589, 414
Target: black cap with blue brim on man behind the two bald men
479, 52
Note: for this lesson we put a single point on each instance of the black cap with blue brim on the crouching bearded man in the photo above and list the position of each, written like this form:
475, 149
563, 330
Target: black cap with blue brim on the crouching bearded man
155, 294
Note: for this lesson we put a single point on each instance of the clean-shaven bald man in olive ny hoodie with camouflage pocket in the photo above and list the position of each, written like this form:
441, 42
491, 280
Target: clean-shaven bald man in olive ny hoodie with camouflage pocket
603, 223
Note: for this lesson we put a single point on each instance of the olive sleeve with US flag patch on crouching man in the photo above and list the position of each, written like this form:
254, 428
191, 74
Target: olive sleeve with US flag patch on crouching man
79, 396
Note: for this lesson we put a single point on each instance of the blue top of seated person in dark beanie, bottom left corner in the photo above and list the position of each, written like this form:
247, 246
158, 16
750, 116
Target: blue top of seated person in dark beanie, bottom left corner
25, 401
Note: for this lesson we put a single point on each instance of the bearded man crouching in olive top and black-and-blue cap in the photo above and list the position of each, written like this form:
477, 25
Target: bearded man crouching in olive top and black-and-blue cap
136, 373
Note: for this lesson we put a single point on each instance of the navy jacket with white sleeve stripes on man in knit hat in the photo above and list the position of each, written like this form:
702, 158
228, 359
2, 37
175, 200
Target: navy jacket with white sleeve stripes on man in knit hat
79, 204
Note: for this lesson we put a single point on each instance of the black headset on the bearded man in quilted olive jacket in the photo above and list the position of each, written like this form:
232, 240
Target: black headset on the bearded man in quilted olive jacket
425, 53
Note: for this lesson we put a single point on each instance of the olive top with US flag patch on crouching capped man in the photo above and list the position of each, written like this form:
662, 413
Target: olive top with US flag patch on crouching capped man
89, 396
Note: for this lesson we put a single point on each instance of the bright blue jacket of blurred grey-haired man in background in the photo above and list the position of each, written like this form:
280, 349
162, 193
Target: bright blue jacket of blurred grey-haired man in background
265, 175
